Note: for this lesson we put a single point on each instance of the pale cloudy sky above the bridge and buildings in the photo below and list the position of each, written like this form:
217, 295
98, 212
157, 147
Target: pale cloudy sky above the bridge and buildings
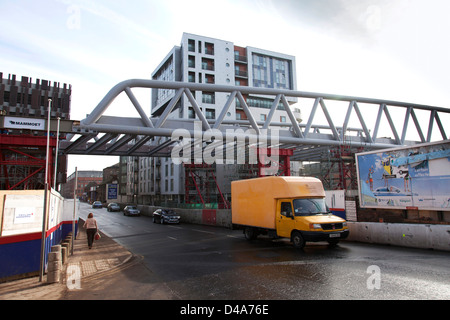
396, 50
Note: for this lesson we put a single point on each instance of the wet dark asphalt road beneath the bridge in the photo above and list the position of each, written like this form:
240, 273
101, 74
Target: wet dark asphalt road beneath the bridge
202, 262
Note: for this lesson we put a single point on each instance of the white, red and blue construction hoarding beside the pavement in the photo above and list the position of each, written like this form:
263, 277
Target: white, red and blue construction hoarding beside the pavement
21, 220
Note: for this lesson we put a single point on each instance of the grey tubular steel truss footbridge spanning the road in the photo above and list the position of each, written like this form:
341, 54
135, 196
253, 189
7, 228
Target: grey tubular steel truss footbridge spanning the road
330, 120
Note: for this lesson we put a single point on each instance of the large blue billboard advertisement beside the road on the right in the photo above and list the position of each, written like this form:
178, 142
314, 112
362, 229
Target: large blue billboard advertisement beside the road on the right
415, 177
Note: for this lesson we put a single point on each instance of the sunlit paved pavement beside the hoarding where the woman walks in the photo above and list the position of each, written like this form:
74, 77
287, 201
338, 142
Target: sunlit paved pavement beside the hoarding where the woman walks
108, 271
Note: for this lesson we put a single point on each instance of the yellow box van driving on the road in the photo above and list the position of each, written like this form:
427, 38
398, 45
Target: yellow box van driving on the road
289, 207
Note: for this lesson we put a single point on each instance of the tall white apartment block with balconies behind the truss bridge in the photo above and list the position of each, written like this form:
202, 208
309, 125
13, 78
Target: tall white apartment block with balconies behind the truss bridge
202, 59
